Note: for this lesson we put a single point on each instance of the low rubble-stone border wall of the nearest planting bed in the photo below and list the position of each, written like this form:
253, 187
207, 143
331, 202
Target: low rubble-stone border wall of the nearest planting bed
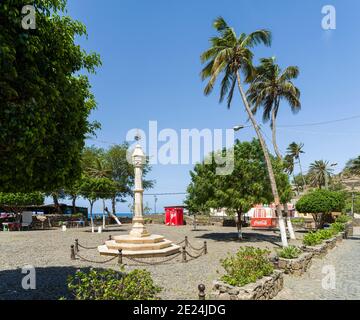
265, 288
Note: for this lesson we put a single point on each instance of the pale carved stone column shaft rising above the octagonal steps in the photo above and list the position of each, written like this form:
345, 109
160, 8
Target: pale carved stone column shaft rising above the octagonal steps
138, 228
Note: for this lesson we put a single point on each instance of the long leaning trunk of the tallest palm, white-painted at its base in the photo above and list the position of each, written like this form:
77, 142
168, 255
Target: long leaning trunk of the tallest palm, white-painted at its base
268, 163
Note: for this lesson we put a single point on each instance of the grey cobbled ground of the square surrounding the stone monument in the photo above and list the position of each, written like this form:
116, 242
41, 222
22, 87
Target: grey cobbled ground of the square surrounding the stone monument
49, 252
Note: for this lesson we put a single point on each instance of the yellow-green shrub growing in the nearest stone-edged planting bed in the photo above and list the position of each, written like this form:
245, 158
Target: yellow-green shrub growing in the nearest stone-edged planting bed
246, 266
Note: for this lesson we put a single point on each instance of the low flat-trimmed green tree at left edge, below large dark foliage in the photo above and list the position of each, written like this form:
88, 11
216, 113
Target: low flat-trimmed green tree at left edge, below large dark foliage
15, 202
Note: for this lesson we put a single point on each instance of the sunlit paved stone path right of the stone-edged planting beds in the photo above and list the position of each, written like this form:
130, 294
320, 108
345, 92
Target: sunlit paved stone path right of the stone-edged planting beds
341, 264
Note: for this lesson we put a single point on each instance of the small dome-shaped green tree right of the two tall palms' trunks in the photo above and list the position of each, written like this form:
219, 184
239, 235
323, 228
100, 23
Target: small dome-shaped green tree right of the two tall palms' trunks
320, 203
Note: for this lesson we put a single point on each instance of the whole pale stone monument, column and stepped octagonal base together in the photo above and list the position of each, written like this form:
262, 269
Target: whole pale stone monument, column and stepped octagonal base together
139, 243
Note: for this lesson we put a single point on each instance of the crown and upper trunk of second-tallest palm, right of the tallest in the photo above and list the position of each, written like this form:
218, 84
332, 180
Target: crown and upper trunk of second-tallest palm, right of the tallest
270, 86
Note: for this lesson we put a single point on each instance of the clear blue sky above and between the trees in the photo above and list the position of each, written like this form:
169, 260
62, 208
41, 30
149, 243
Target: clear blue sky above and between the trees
150, 52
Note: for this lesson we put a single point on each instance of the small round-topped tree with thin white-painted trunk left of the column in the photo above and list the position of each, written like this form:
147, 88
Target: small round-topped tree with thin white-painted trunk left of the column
94, 189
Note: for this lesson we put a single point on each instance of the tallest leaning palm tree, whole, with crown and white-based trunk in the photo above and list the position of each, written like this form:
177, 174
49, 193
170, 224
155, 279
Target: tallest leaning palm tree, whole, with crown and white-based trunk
231, 56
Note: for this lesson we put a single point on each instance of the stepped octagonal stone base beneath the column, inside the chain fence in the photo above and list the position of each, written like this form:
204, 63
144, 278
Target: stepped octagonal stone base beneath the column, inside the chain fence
144, 247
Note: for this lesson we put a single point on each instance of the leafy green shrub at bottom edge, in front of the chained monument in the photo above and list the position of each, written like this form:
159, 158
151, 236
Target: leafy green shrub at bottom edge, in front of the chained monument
113, 285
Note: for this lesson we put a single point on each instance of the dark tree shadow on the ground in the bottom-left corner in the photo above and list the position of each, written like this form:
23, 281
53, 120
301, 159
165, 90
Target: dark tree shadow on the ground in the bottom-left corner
50, 284
